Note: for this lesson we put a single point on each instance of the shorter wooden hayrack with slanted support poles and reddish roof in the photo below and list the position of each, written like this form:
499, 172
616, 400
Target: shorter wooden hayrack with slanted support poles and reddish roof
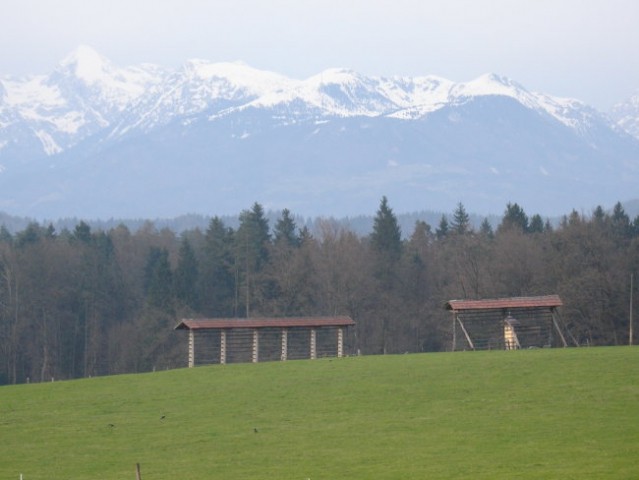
507, 323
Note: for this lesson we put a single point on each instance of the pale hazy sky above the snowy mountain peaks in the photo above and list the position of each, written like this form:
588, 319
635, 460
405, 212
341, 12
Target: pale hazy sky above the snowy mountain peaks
587, 49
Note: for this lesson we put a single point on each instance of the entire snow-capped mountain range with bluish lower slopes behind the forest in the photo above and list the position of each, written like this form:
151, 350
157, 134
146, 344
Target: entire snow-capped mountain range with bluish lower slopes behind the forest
94, 140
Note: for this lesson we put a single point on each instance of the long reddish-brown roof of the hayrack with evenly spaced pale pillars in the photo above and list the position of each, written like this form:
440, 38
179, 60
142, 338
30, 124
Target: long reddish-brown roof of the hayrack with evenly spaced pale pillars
263, 322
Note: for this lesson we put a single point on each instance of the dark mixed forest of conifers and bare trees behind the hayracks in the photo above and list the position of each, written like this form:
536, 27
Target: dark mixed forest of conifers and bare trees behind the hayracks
80, 303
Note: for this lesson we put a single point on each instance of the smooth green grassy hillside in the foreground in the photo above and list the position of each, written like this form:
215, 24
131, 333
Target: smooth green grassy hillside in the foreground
521, 414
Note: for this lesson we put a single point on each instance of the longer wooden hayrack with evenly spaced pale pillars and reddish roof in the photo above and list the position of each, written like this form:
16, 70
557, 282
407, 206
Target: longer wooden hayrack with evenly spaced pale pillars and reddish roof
235, 340
